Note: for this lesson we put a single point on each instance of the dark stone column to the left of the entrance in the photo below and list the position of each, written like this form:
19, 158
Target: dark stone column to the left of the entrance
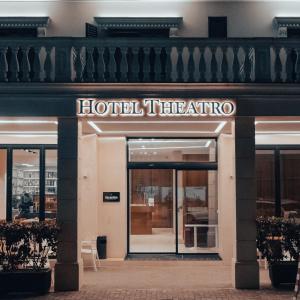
67, 269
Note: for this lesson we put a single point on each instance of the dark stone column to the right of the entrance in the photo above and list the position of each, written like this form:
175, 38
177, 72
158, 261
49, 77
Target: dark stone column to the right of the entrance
246, 270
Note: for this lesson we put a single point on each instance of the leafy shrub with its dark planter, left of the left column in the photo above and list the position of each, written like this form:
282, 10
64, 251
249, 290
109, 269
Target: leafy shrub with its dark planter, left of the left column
24, 252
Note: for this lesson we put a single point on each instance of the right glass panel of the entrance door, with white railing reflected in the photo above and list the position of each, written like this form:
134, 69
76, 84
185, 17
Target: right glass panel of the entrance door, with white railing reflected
197, 211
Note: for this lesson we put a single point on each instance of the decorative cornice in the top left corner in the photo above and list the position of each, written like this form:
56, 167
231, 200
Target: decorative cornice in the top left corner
24, 22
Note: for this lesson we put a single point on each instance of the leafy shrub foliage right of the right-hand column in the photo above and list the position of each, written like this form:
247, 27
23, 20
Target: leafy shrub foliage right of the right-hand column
278, 239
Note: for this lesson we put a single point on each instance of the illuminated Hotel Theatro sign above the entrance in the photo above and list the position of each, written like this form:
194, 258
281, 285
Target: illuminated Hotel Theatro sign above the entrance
153, 107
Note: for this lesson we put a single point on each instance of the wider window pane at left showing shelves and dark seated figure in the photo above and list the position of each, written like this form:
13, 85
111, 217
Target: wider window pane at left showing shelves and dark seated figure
26, 184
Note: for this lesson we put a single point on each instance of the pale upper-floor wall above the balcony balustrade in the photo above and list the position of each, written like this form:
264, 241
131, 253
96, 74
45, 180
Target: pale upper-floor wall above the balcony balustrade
245, 18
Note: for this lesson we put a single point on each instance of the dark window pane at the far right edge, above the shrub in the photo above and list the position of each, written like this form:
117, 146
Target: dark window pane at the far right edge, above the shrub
290, 183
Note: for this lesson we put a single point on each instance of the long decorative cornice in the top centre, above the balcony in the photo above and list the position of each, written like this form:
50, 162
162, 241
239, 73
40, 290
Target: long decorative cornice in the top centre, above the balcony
140, 23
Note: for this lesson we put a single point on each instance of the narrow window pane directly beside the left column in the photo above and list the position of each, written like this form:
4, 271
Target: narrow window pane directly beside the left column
50, 184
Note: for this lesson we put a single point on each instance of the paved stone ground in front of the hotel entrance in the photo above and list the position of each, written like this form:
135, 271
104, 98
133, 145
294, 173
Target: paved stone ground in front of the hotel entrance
165, 280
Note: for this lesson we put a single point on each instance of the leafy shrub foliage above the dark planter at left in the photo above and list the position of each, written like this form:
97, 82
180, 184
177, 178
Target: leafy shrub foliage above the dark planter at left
27, 246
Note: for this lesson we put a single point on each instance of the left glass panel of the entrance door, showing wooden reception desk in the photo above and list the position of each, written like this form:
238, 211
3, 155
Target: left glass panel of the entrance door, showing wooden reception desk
152, 211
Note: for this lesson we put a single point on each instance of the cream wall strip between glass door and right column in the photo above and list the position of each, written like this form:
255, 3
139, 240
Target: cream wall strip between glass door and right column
226, 196
